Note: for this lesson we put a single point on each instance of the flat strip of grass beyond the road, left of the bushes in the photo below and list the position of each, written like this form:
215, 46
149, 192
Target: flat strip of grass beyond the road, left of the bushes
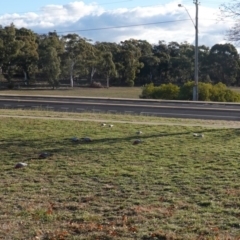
112, 92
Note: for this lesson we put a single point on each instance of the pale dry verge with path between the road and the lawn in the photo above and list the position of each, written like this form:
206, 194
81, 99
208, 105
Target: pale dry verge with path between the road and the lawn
118, 118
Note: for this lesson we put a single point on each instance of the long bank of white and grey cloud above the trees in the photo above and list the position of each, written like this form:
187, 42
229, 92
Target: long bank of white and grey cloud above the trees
169, 26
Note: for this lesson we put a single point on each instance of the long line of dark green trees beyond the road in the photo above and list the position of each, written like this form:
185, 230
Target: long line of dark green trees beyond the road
30, 56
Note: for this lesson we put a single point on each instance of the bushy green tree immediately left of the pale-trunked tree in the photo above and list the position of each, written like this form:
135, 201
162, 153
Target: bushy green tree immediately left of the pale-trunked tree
51, 69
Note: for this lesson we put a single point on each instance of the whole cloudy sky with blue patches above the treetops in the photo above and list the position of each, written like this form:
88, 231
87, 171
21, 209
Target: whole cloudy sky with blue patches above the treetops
119, 20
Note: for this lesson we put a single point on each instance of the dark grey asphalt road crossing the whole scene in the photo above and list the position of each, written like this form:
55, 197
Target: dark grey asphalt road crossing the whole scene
197, 110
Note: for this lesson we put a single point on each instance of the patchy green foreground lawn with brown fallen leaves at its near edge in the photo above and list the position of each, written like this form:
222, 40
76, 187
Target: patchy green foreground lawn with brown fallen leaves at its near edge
170, 186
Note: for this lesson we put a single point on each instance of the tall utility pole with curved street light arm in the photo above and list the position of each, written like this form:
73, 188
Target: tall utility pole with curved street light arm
195, 88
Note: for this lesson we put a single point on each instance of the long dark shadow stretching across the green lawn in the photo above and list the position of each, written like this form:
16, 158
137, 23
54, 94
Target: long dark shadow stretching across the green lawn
61, 146
